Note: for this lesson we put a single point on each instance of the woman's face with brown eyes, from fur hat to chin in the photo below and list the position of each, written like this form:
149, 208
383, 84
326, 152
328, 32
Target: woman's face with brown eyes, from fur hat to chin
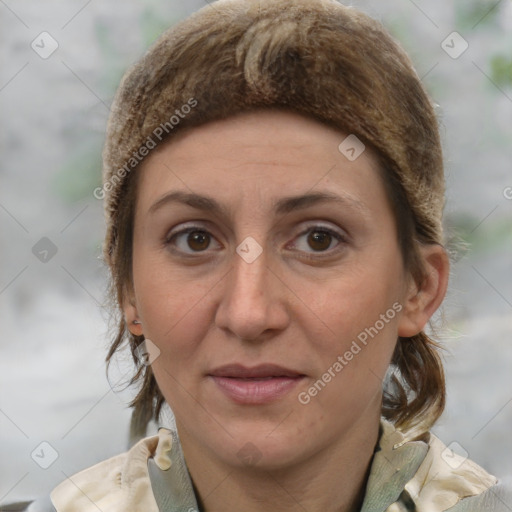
267, 272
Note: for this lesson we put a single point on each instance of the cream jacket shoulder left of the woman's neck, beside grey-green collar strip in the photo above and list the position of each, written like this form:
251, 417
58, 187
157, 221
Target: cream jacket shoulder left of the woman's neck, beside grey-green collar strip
114, 485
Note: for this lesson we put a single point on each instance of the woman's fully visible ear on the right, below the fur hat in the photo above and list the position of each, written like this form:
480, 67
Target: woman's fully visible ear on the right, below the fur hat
422, 301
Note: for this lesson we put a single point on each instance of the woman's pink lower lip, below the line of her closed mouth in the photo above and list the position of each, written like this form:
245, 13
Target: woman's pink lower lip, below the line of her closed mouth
253, 391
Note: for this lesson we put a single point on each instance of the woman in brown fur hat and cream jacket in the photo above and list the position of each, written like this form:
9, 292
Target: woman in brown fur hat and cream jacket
273, 184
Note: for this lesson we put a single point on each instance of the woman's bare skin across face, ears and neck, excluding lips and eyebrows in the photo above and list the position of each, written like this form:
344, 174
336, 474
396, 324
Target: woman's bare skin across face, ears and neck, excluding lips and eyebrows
299, 304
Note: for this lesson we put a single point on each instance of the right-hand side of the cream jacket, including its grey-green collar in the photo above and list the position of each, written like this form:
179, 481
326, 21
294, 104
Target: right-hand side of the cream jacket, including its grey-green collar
416, 471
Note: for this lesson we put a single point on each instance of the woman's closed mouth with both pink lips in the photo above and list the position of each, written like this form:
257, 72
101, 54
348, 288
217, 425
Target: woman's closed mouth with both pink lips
261, 384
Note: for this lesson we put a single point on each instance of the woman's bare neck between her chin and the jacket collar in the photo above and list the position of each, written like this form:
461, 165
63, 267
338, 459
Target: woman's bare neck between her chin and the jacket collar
332, 480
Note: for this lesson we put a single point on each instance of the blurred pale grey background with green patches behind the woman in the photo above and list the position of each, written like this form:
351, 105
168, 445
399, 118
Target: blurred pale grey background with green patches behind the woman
60, 63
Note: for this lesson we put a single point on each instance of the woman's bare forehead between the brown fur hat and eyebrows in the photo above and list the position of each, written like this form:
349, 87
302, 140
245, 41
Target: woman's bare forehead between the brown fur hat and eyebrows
256, 158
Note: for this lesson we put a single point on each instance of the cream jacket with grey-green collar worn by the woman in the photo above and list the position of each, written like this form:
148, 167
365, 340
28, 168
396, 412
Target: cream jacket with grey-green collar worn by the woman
418, 475
